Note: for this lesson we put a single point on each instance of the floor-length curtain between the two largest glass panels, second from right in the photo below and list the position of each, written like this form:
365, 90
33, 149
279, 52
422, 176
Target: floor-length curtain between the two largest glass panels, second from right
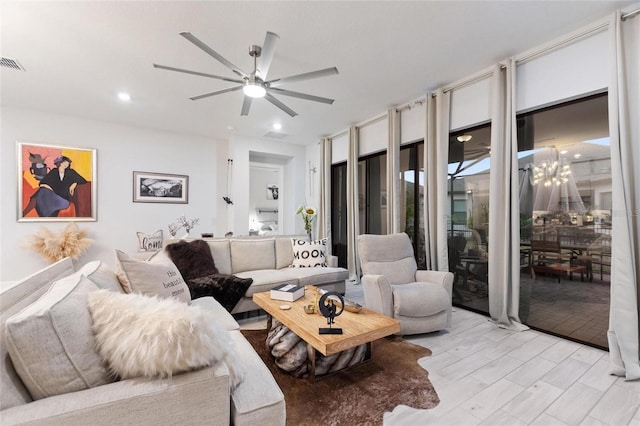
504, 203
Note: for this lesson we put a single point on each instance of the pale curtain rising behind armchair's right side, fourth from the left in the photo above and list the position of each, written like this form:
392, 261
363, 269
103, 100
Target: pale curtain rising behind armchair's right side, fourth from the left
436, 158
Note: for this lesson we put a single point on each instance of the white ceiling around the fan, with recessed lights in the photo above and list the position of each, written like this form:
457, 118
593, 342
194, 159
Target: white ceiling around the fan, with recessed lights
79, 55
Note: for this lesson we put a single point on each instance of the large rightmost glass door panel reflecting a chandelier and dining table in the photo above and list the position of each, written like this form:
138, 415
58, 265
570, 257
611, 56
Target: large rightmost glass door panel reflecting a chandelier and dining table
565, 219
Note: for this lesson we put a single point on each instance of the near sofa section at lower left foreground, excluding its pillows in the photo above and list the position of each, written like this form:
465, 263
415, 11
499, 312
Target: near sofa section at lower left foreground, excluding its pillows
199, 397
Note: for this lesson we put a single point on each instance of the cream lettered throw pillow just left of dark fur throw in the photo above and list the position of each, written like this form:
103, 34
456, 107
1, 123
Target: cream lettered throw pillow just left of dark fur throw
156, 276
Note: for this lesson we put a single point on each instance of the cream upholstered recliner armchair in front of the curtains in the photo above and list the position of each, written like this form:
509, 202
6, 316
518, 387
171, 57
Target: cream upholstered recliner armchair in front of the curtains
393, 285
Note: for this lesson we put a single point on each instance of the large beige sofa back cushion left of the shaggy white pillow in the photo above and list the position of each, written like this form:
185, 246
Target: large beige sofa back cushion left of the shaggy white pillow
51, 344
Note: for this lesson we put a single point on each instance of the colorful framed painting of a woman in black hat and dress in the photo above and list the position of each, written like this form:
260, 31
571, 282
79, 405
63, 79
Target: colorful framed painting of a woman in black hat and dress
56, 183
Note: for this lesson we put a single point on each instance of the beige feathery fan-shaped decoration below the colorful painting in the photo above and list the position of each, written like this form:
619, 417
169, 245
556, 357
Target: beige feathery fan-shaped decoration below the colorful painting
71, 242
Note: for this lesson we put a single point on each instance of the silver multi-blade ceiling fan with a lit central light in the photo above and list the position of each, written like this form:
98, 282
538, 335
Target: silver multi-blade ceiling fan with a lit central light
255, 84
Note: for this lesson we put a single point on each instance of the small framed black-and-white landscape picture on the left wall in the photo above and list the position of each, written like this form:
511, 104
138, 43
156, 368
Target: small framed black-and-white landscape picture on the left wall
160, 188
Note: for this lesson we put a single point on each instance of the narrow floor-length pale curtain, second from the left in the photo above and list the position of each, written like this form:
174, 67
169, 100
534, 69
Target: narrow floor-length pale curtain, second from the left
353, 211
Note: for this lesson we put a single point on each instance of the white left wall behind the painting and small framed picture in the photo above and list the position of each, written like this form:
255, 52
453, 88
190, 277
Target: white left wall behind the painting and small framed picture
120, 151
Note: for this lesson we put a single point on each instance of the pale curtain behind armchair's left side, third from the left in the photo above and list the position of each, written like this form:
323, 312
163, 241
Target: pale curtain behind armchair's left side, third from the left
393, 173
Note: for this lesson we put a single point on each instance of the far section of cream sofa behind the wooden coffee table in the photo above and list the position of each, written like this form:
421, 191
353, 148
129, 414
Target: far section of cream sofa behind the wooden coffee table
268, 262
